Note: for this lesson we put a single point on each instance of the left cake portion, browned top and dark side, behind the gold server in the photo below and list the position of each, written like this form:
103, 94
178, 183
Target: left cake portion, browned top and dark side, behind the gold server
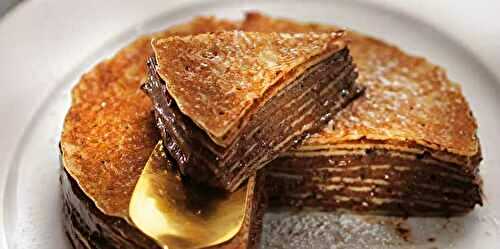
107, 138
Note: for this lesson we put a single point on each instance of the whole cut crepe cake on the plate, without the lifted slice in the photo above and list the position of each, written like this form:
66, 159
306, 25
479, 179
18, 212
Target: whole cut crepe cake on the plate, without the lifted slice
407, 146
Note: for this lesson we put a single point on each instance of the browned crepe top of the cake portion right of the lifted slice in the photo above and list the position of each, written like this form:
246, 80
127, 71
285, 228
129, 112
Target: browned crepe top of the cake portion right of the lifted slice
407, 98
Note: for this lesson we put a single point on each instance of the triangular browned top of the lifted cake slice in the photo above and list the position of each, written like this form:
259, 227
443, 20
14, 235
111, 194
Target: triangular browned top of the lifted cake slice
216, 78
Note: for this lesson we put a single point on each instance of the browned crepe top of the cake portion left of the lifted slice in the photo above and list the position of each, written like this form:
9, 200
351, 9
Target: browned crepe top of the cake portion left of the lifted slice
109, 132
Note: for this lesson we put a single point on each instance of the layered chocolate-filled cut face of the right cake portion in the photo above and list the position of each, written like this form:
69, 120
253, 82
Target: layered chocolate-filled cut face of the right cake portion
377, 182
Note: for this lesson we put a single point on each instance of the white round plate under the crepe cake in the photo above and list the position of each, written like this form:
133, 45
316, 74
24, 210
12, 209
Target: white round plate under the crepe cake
46, 45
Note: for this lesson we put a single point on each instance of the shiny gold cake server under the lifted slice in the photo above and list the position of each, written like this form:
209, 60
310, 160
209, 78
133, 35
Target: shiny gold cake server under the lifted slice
179, 215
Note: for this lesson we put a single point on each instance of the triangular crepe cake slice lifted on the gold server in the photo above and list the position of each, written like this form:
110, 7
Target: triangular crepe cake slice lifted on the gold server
229, 102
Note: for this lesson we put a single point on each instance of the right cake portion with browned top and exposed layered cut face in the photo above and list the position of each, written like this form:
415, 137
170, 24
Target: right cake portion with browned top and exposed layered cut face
408, 146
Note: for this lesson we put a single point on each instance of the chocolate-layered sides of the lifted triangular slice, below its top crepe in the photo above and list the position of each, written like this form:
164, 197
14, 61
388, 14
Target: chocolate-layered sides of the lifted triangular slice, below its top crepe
301, 108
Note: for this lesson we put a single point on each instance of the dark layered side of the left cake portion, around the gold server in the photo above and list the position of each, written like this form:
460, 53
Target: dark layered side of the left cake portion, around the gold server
88, 228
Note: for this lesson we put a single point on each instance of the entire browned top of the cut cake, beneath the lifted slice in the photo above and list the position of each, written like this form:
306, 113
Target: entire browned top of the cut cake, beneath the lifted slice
109, 131
